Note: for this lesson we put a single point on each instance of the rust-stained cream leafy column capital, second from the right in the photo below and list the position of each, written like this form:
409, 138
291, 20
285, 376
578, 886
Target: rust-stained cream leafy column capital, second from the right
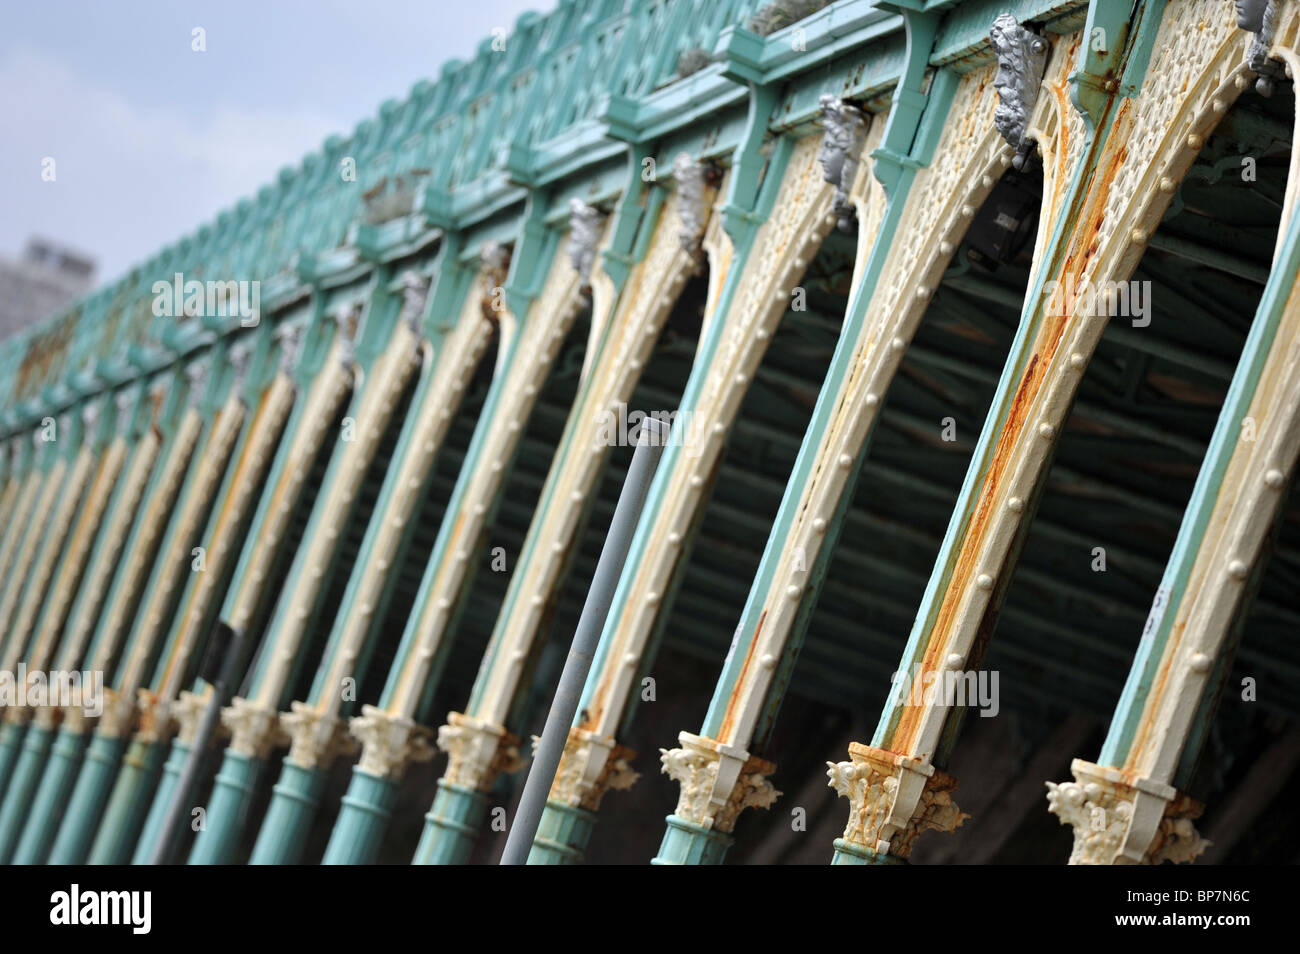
894, 799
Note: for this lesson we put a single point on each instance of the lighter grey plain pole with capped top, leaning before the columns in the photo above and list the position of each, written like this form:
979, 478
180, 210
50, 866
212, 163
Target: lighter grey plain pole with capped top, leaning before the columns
651, 444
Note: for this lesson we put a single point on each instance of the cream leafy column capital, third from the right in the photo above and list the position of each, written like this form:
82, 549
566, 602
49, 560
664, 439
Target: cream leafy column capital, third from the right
718, 782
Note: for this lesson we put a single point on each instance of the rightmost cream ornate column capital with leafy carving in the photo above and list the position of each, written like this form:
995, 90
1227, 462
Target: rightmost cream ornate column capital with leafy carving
1119, 819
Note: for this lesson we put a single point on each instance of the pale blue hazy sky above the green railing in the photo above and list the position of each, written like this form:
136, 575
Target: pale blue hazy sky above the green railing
153, 138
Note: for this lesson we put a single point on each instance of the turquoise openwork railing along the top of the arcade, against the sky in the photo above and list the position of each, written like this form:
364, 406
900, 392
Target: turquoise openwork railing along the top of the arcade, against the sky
463, 124
